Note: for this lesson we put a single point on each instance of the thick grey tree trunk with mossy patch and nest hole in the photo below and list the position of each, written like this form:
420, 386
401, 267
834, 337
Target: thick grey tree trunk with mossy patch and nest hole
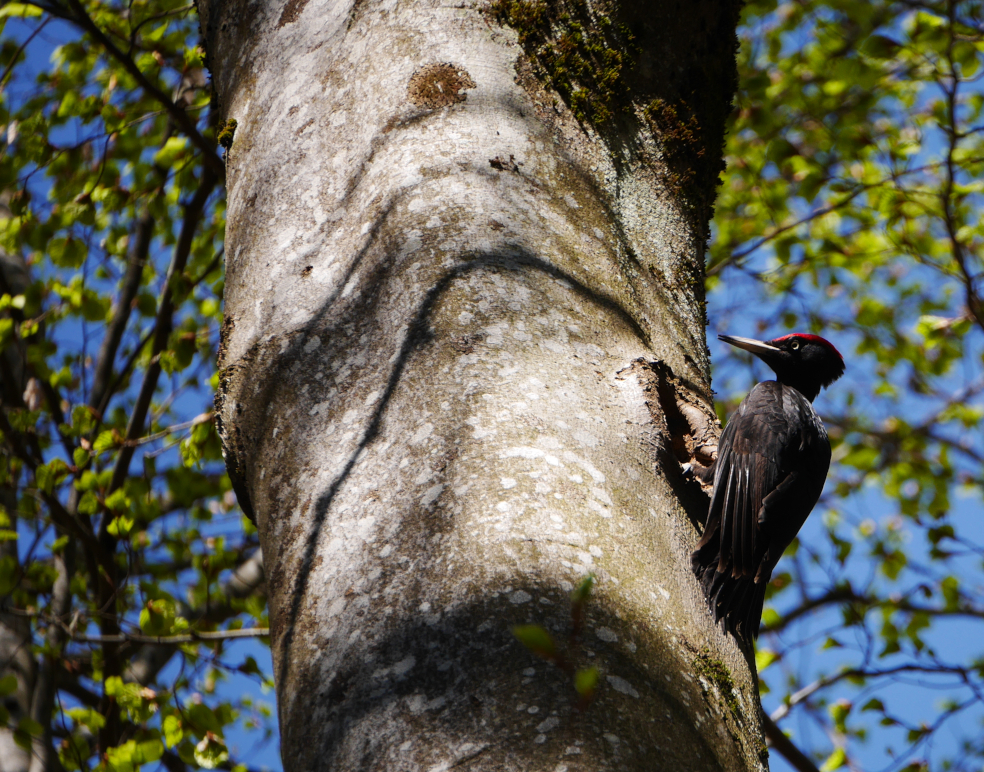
463, 356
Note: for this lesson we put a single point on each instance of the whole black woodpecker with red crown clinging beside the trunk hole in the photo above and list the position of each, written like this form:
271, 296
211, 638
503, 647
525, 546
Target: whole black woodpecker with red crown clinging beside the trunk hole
772, 462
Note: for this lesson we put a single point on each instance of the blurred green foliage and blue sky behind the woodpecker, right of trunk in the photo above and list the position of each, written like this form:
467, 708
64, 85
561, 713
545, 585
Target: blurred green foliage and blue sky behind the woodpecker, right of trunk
851, 207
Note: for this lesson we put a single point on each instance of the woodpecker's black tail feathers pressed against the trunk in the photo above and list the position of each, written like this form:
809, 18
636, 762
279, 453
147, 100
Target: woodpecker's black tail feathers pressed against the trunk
736, 603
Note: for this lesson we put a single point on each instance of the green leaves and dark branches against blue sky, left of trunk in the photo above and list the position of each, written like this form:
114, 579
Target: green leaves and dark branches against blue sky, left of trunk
119, 528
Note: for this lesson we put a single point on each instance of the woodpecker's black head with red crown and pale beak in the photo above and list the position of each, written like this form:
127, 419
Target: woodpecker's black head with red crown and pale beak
805, 362
